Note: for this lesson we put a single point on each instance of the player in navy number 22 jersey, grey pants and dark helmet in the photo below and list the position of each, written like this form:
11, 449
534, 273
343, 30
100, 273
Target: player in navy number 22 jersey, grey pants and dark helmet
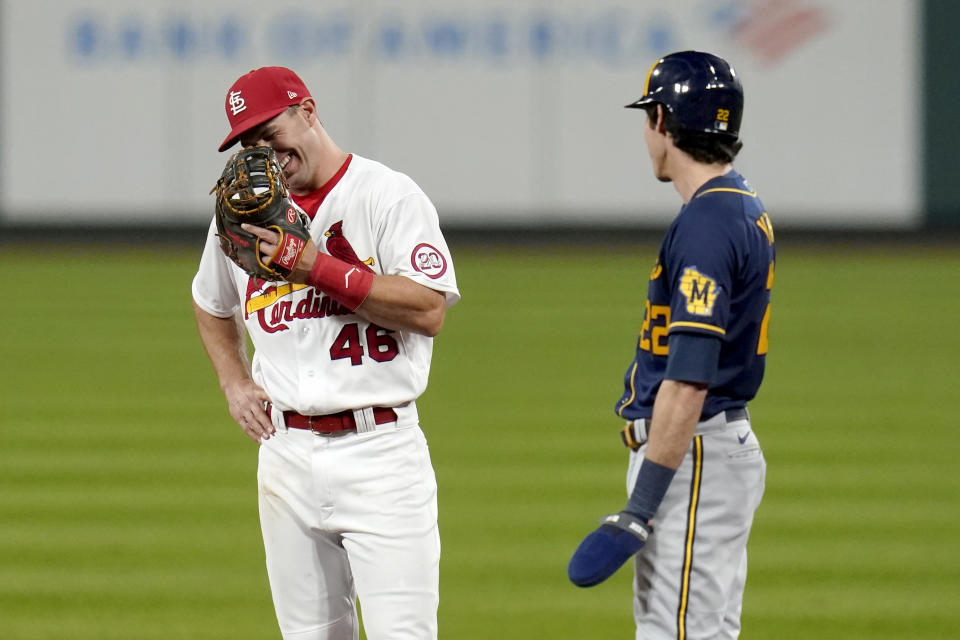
696, 470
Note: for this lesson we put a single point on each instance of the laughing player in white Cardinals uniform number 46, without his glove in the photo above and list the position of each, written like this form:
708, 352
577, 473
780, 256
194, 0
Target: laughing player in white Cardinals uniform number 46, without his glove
347, 492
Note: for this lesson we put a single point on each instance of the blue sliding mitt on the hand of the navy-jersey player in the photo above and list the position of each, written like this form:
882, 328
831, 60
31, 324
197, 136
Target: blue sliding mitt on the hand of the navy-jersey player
605, 550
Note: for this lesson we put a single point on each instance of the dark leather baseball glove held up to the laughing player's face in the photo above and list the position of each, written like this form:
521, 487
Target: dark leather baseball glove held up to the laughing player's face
252, 190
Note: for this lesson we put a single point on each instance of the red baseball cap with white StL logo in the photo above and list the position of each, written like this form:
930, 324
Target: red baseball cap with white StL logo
258, 96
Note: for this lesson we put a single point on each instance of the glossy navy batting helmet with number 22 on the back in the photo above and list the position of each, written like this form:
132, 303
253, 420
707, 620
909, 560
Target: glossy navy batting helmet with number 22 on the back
701, 90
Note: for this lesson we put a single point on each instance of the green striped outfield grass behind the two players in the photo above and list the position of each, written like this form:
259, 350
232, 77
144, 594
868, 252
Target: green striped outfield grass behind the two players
127, 496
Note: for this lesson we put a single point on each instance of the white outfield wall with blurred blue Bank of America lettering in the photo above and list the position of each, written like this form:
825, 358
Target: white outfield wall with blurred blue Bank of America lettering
505, 112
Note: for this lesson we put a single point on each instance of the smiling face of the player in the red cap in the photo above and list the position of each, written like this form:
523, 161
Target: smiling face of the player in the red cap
290, 135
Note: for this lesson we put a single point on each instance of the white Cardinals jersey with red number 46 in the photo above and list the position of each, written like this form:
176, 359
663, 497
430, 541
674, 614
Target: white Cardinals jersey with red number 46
312, 355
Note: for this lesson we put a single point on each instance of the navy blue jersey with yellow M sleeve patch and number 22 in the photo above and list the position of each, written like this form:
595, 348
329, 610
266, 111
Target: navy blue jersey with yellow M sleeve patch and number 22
713, 277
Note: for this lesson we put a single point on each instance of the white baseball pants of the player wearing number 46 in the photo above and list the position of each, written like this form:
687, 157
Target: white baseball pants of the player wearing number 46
349, 516
